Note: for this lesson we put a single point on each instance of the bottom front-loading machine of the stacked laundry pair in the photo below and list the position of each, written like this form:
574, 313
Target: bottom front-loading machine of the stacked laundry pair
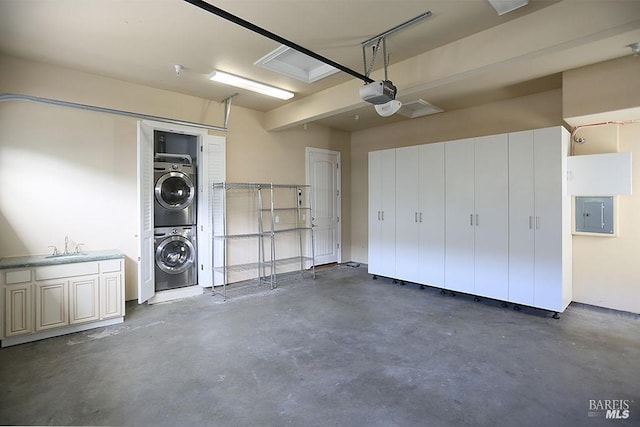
175, 257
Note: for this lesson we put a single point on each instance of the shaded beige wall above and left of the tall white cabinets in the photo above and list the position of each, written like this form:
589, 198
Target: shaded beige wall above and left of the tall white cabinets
530, 112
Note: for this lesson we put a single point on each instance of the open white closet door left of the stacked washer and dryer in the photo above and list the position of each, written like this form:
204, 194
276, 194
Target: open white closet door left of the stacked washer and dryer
146, 279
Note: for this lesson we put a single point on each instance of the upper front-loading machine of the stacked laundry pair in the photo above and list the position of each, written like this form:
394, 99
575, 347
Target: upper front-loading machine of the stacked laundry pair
175, 194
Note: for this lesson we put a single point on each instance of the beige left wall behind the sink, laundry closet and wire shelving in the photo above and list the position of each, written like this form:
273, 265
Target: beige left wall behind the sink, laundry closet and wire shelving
70, 172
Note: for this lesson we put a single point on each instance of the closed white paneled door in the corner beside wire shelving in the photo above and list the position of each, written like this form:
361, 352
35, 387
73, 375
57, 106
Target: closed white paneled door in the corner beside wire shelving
323, 175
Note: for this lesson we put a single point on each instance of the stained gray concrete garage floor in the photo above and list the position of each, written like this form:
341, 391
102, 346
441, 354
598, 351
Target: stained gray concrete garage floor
343, 350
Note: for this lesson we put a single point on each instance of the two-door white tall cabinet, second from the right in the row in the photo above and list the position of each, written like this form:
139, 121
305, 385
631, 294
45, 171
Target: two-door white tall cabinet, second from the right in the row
477, 216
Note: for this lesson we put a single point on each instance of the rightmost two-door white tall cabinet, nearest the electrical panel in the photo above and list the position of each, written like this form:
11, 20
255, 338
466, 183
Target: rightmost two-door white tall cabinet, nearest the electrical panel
539, 219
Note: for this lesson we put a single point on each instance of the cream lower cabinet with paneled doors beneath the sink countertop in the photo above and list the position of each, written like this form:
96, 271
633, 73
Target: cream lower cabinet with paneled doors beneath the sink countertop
49, 300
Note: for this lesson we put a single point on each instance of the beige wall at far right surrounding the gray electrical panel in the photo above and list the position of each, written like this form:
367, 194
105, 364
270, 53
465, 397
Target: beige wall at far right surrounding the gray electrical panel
606, 272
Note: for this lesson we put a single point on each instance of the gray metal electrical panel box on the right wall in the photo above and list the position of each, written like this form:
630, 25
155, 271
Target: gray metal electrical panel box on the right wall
594, 215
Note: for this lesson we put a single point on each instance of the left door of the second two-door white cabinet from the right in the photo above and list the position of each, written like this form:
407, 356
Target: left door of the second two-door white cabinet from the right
459, 229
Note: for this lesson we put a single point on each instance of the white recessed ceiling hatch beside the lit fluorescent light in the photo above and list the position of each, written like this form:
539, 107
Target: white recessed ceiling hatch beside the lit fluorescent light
294, 64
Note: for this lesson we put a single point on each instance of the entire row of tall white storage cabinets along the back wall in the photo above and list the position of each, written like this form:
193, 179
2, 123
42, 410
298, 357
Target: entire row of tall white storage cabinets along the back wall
488, 216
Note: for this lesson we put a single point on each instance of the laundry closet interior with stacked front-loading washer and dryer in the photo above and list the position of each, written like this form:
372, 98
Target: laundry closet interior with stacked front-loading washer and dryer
175, 210
